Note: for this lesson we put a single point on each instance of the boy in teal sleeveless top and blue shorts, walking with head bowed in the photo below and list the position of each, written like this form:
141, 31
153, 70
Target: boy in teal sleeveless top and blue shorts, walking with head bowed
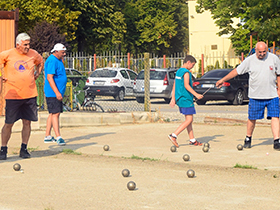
182, 95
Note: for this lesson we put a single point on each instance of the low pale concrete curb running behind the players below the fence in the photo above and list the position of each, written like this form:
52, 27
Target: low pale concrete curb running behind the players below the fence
74, 119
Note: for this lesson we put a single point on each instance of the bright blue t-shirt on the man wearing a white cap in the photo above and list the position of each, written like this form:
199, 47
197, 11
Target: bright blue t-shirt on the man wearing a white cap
55, 66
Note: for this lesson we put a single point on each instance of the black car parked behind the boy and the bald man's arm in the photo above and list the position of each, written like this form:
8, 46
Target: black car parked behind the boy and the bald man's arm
235, 90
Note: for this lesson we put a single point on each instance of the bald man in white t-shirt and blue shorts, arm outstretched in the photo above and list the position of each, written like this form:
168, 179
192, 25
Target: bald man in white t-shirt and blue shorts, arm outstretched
264, 69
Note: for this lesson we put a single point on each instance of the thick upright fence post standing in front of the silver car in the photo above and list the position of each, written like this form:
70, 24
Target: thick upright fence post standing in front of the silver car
146, 82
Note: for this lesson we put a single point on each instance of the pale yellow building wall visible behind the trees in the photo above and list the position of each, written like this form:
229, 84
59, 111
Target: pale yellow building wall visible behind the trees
203, 39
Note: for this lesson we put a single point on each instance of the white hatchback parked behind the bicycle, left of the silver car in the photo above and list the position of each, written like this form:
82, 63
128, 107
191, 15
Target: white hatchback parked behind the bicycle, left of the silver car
109, 81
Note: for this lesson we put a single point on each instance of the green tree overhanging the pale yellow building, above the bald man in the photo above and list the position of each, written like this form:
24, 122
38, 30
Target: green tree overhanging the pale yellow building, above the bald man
260, 16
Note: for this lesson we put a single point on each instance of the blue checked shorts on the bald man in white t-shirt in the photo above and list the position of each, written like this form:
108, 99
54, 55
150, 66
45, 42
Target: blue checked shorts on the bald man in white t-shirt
257, 107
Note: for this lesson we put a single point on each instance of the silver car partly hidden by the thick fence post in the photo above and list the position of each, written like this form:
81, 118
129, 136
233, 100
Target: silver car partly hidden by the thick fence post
161, 83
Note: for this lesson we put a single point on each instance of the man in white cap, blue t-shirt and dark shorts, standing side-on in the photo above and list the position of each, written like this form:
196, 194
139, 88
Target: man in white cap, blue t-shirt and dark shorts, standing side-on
55, 85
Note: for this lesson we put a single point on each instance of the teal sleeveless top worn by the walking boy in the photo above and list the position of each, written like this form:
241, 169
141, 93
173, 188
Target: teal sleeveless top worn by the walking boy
183, 97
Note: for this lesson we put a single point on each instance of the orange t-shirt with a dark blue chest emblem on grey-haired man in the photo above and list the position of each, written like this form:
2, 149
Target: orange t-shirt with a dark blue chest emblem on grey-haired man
19, 71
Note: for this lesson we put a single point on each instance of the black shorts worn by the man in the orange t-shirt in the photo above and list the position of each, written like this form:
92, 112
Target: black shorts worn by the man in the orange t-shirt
21, 109
